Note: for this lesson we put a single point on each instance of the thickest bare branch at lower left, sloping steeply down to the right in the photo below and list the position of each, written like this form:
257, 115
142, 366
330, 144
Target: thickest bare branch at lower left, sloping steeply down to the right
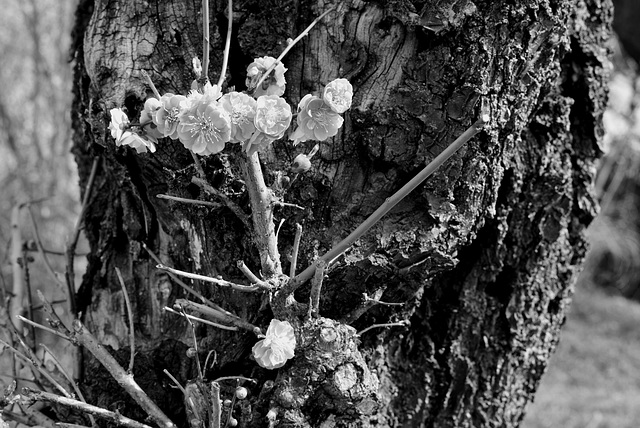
125, 380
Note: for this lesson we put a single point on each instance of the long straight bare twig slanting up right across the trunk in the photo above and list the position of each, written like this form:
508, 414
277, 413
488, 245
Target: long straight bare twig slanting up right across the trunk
388, 204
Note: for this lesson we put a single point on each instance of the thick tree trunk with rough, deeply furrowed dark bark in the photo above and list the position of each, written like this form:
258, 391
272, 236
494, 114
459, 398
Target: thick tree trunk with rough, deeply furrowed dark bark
483, 255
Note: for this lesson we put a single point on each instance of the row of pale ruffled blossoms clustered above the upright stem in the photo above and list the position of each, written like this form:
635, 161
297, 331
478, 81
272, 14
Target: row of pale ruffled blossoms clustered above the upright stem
205, 120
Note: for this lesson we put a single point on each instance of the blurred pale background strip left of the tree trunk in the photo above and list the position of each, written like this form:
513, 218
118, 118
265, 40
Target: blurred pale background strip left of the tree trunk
35, 163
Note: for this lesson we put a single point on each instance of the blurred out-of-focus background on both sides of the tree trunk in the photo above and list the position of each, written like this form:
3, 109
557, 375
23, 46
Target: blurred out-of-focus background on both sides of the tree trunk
594, 377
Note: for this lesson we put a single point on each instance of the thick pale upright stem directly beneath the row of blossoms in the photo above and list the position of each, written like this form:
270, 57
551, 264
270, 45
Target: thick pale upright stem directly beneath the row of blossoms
262, 212
